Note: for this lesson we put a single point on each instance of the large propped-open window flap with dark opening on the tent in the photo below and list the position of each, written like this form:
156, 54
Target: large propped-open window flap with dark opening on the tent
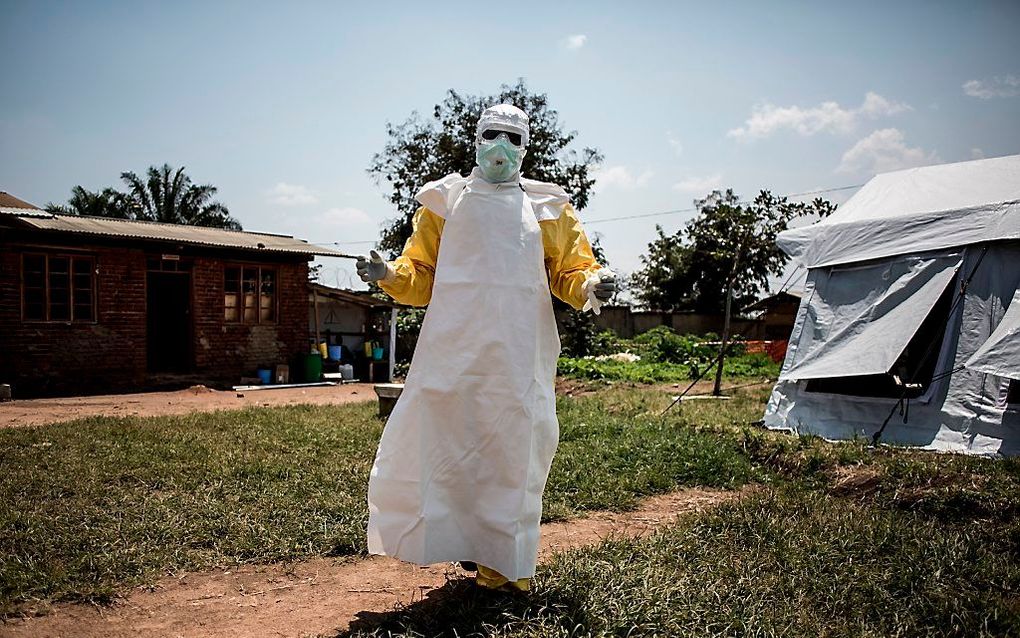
873, 322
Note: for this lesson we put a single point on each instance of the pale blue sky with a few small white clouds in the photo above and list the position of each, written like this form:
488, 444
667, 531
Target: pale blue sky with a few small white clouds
282, 106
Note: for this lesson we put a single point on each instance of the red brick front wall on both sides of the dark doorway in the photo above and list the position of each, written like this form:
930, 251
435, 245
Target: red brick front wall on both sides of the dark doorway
110, 356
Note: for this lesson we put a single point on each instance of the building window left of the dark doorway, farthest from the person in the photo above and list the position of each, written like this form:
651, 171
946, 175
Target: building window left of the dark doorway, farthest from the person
59, 288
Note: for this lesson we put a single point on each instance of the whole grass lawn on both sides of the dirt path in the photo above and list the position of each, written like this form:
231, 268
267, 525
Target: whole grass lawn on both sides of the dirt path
838, 541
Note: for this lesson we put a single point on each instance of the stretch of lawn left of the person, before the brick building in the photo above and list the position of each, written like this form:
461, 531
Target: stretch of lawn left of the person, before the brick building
91, 507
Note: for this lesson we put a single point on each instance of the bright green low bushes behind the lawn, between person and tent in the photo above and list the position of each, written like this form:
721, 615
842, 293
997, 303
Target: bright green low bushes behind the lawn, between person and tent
665, 358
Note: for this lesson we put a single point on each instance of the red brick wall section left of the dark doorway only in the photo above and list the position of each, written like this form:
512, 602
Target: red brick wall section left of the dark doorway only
52, 359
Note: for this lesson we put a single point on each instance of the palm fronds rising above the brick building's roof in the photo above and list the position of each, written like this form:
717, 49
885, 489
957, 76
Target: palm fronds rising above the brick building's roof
165, 194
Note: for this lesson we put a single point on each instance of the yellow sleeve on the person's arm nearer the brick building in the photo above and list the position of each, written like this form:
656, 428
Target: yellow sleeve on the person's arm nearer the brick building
415, 270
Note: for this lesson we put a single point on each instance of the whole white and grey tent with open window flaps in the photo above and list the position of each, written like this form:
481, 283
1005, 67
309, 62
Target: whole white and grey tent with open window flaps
911, 314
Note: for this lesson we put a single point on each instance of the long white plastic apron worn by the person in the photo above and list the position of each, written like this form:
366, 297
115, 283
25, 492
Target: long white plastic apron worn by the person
466, 455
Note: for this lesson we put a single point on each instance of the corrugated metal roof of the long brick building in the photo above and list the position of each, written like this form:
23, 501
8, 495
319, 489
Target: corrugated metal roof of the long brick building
195, 235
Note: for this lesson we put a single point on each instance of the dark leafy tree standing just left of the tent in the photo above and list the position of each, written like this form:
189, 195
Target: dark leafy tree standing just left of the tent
690, 270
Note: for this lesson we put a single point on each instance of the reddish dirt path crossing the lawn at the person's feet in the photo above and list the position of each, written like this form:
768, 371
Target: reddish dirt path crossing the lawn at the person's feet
319, 597
